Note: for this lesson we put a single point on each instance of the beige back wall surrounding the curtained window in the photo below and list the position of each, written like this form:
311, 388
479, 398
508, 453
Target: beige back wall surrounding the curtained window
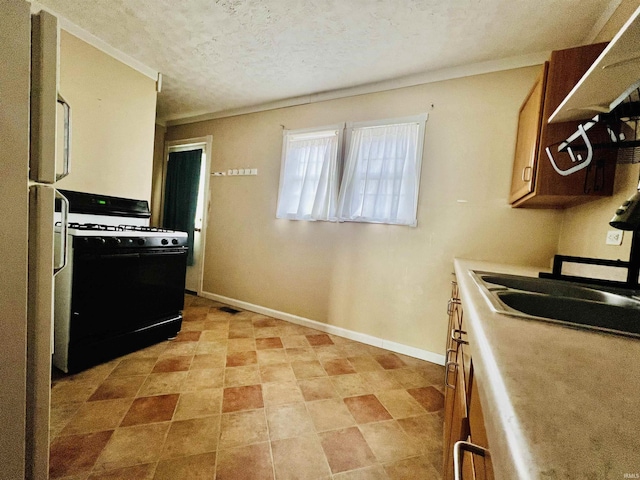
390, 282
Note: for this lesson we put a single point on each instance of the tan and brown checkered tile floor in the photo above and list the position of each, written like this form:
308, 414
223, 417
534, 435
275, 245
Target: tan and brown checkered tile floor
245, 396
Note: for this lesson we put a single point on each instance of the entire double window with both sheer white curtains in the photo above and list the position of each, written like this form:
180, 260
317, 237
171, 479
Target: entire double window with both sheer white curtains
381, 175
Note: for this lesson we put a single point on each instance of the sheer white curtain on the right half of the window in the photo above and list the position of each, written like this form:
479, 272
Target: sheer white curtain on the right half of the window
380, 182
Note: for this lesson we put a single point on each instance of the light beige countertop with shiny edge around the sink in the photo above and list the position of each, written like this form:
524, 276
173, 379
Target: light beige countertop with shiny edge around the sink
559, 403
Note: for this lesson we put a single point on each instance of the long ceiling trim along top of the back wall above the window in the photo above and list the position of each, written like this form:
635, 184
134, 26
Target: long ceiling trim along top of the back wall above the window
408, 81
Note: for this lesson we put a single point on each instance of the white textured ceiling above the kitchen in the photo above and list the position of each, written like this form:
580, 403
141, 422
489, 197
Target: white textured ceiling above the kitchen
217, 55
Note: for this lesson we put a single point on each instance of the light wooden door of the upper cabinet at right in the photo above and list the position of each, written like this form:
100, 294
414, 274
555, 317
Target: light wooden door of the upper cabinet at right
528, 138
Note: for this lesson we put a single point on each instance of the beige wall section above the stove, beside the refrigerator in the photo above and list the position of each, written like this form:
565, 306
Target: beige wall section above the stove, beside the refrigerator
113, 118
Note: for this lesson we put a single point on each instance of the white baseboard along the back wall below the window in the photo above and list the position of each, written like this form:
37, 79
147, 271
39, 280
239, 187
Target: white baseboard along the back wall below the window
331, 329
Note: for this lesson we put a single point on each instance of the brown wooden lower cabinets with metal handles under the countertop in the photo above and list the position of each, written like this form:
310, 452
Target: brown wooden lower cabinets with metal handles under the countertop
466, 449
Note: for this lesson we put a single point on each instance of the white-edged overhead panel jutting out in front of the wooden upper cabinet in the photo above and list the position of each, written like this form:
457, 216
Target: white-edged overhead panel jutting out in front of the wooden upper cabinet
612, 77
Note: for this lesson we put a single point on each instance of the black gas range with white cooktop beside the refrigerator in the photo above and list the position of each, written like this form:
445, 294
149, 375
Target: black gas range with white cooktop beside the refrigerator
123, 287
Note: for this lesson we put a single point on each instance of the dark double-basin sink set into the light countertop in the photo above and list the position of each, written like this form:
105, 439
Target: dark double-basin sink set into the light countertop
570, 304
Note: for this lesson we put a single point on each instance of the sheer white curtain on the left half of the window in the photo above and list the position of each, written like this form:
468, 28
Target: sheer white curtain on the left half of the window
308, 186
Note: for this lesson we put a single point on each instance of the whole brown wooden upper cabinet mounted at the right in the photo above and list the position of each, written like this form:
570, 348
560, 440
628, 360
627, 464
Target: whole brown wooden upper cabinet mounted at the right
535, 182
